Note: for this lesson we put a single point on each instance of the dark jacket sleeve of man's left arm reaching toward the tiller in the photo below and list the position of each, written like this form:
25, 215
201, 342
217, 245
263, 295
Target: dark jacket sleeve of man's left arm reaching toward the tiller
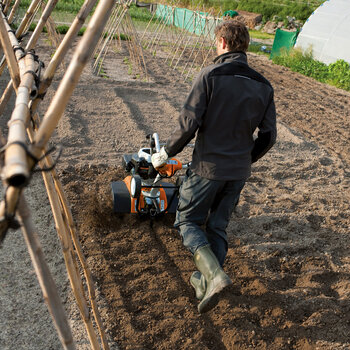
191, 116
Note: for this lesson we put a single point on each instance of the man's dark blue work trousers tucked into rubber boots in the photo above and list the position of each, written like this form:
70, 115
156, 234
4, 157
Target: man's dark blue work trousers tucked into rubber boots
204, 210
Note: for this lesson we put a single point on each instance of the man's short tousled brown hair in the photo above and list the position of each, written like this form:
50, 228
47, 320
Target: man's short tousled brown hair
235, 34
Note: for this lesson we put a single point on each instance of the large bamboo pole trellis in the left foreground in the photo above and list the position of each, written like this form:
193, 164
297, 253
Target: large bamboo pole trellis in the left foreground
26, 147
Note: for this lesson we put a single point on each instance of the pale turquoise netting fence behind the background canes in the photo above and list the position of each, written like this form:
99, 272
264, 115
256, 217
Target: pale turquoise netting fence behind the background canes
193, 22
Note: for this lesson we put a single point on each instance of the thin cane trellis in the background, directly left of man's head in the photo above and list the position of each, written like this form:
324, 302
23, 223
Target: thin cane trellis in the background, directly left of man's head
187, 49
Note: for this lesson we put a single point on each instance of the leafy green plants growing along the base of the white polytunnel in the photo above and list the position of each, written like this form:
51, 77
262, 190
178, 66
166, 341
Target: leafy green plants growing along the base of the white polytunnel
337, 74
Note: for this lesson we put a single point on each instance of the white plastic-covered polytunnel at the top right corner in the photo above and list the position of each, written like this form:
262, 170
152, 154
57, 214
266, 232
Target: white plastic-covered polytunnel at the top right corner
327, 32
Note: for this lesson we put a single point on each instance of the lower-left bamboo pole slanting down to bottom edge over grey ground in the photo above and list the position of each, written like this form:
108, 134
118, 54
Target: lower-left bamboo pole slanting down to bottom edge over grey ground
43, 273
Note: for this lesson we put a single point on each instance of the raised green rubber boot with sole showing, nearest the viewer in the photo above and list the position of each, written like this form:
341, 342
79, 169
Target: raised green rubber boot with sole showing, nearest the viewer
215, 277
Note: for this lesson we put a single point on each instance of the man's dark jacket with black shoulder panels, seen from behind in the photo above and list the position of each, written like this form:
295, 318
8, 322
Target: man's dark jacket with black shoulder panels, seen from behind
227, 103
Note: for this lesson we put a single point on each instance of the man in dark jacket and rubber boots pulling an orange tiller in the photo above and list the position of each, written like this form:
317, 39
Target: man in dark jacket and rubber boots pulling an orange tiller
227, 103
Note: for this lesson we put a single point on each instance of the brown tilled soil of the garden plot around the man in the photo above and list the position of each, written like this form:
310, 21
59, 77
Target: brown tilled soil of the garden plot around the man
289, 238
